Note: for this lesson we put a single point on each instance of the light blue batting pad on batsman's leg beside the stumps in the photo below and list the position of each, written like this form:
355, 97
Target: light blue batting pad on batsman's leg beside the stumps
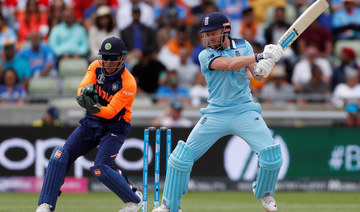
177, 175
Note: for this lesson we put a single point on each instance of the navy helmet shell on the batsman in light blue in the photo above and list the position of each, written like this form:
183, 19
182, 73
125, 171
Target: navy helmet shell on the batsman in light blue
214, 21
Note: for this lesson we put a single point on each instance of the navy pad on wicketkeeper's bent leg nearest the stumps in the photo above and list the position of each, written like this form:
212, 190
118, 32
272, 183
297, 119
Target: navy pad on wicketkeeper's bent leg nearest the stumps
115, 182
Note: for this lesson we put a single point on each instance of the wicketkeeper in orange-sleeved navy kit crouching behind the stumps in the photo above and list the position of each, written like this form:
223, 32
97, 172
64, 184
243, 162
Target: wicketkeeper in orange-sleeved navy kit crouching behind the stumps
107, 93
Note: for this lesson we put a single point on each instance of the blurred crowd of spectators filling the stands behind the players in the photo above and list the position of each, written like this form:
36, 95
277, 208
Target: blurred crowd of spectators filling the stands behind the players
163, 40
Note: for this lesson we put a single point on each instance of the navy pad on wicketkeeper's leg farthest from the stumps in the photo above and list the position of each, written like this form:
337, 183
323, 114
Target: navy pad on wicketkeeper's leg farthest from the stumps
54, 177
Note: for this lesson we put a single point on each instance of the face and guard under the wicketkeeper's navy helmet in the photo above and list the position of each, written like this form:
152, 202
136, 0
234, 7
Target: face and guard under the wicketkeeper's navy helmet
111, 65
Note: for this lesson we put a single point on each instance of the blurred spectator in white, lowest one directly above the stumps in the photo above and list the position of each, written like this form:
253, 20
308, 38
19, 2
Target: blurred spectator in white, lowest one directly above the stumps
172, 117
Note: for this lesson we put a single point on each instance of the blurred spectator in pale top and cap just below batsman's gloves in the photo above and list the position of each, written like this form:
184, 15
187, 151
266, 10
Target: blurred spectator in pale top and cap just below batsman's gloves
277, 90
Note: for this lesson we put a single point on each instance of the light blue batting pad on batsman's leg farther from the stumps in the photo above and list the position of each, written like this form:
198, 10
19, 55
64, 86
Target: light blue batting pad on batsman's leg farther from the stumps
270, 161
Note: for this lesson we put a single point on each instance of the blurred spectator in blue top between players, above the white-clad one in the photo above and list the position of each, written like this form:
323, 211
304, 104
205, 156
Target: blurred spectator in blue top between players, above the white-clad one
171, 91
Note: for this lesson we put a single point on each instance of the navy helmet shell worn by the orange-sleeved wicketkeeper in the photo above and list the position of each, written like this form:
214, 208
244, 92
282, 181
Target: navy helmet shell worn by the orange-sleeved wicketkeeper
113, 46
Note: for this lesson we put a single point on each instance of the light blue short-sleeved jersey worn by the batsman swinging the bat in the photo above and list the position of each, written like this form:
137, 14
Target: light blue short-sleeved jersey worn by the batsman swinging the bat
227, 88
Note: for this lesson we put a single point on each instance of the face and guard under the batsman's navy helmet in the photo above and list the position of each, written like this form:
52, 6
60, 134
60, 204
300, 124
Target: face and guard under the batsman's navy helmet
215, 42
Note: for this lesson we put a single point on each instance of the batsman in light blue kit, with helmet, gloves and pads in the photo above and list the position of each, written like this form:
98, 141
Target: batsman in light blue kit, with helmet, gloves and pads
231, 110
